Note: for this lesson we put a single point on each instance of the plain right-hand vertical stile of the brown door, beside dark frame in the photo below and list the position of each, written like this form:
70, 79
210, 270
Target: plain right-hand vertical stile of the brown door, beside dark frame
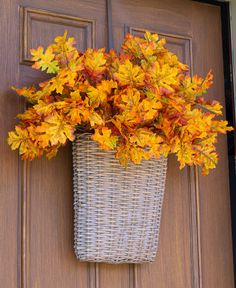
214, 203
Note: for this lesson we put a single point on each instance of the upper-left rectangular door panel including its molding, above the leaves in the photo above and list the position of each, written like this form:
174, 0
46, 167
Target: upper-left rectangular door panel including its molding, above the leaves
40, 27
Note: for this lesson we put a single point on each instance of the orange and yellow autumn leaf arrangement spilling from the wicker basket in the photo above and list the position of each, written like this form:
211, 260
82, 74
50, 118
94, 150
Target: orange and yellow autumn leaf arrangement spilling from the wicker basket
140, 102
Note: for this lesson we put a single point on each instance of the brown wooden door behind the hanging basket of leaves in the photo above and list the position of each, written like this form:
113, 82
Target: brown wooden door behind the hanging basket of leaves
36, 214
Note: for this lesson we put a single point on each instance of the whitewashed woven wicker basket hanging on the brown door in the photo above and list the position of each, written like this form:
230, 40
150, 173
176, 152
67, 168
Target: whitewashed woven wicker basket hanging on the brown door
117, 210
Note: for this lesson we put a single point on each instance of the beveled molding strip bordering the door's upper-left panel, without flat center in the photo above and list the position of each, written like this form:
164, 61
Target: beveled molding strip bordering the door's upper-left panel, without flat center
26, 14
